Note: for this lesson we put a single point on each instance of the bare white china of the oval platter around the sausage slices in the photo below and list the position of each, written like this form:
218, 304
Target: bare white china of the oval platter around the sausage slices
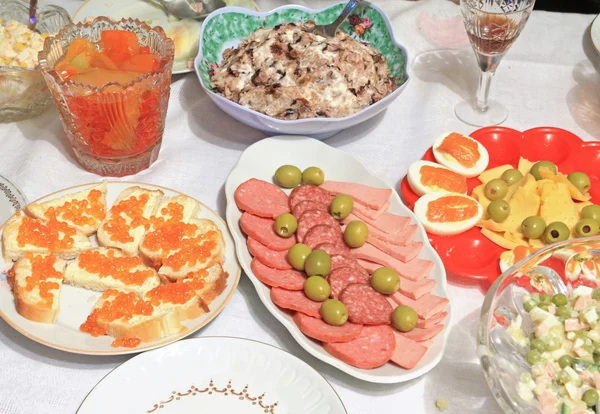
260, 161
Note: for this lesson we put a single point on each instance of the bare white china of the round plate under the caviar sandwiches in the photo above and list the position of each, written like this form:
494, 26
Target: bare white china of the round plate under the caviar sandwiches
77, 303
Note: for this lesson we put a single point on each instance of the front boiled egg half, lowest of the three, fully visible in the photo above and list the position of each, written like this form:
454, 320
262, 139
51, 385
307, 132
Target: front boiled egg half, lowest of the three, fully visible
447, 214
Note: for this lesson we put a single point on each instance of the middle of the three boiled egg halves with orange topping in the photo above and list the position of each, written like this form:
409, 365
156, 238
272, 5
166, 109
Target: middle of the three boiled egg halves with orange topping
427, 177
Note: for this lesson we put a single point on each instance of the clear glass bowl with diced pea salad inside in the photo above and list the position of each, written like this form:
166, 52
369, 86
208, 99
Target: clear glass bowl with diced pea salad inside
539, 332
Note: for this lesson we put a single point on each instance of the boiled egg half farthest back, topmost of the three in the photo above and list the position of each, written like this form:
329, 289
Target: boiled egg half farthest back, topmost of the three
461, 154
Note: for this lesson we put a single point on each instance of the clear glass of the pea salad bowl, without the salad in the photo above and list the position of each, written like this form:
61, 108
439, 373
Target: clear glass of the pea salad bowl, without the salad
551, 270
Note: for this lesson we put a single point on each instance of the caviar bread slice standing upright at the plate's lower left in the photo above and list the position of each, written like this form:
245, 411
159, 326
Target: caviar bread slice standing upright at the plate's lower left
36, 286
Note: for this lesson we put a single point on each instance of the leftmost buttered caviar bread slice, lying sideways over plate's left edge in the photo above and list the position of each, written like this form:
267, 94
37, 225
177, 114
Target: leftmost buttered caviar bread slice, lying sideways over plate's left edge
13, 249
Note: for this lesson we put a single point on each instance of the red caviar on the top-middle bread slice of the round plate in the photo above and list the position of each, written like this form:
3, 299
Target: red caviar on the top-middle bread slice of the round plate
118, 227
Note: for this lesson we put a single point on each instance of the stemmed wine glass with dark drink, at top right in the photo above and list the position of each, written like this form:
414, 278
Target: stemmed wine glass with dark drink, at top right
492, 26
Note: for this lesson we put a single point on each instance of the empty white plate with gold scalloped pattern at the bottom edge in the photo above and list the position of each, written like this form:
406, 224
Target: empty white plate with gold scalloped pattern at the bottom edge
214, 375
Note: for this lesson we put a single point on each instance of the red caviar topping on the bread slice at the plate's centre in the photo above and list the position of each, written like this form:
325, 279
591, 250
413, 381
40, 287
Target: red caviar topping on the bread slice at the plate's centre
120, 268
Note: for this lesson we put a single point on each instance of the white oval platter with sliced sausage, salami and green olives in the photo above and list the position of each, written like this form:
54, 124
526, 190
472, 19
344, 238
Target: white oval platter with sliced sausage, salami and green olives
367, 345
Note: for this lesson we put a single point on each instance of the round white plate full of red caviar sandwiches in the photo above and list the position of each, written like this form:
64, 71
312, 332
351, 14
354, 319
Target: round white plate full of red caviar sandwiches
114, 268
